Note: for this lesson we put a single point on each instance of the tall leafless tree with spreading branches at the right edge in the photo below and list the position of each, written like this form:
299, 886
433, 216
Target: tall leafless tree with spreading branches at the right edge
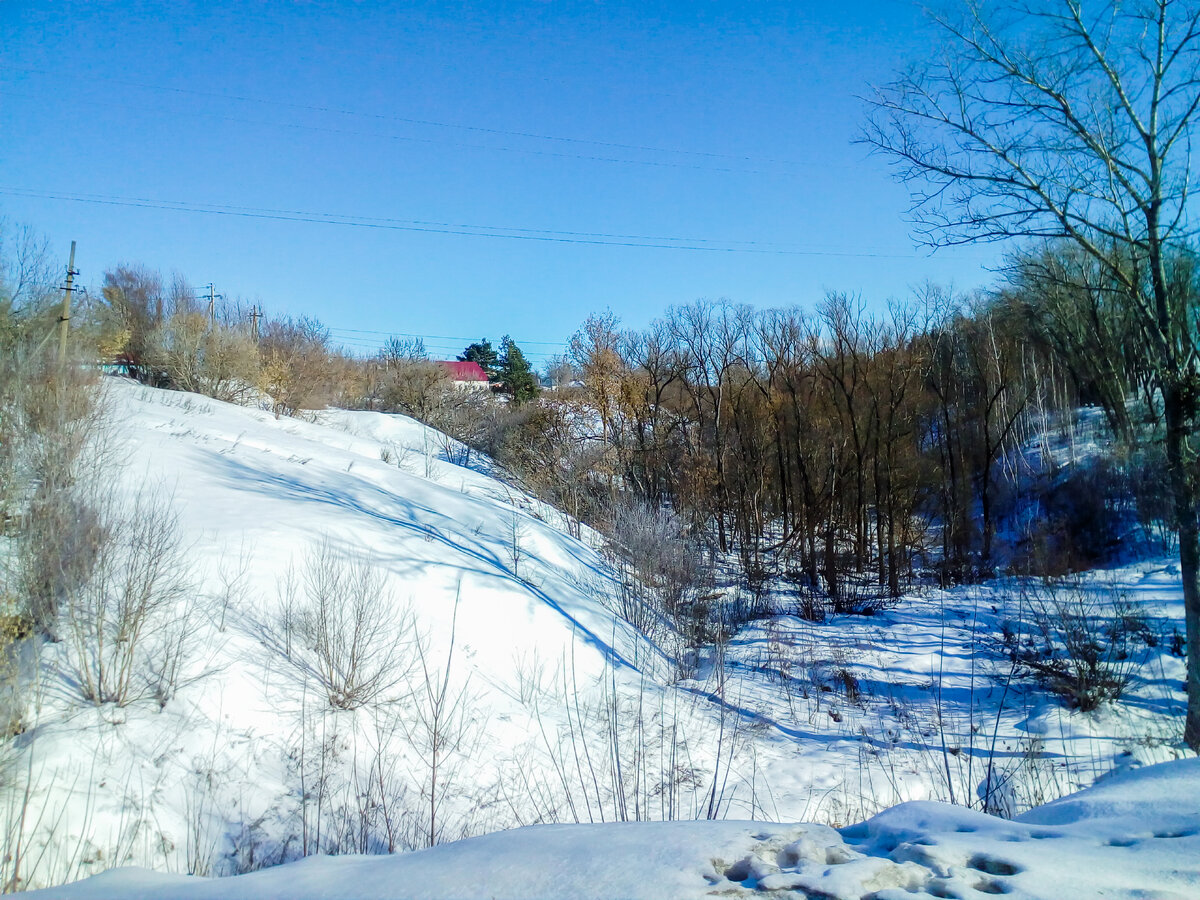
1073, 121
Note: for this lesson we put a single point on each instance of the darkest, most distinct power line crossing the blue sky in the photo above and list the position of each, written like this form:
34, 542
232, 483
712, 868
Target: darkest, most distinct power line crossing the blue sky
598, 239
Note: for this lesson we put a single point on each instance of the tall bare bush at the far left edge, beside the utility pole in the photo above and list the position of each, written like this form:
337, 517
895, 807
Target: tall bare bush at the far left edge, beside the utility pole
50, 417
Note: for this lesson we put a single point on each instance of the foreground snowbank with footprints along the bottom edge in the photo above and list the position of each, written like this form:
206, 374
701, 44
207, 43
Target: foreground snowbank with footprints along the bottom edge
1136, 836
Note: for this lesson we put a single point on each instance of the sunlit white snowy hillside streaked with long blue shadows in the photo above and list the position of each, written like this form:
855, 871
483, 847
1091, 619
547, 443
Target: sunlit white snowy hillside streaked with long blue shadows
256, 499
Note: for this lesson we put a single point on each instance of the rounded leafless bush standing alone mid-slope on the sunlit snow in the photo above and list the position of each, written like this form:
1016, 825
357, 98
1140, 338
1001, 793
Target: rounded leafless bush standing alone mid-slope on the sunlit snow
341, 626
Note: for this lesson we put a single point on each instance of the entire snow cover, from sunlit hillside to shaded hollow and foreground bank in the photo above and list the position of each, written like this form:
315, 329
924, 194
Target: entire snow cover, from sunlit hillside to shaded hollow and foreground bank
559, 711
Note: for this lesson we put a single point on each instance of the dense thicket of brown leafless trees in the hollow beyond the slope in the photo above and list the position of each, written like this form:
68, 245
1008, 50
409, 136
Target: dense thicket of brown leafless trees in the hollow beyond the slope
845, 452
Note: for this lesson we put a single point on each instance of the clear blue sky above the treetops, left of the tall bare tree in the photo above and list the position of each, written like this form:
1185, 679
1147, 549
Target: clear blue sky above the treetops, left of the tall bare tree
727, 125
